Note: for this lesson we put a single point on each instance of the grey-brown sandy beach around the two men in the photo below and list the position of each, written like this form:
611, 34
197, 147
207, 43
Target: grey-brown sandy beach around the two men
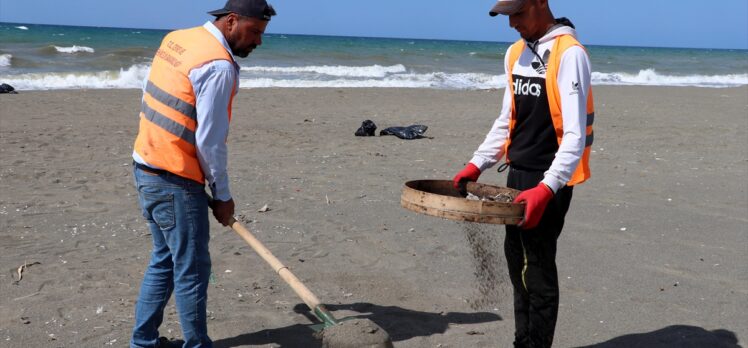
653, 254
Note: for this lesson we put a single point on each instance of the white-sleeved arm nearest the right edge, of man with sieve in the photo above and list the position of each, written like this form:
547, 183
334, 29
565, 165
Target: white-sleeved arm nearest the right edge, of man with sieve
573, 85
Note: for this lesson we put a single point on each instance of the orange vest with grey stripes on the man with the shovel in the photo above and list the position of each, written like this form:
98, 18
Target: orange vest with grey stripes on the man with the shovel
168, 117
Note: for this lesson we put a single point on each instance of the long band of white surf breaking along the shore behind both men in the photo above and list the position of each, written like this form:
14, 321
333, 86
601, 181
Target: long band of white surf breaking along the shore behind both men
396, 76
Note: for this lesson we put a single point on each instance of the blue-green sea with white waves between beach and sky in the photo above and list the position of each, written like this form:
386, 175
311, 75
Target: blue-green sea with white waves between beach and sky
49, 57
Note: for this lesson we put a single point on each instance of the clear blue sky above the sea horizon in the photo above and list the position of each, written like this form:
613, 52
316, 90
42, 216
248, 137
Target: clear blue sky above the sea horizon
657, 23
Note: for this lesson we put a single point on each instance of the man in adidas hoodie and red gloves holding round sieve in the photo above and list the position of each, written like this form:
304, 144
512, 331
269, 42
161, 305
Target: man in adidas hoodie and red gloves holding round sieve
545, 131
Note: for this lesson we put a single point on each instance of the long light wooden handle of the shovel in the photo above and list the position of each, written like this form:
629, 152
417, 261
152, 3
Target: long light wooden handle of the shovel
283, 271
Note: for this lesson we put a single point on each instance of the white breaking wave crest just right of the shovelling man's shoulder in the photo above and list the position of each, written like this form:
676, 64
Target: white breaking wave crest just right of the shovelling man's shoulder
340, 71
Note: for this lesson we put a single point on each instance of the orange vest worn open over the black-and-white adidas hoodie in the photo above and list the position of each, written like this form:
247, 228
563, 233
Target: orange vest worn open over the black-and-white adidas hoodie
562, 43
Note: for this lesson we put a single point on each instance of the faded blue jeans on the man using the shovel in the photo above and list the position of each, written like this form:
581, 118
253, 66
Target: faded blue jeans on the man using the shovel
176, 210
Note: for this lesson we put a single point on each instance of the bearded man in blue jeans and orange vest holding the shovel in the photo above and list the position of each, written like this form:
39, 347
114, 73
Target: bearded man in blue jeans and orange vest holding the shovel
181, 145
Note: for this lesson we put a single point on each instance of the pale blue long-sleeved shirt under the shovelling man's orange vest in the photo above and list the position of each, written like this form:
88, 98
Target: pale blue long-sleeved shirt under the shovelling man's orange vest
213, 84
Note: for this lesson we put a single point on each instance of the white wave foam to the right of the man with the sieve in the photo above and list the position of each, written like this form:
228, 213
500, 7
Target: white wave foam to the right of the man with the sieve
649, 77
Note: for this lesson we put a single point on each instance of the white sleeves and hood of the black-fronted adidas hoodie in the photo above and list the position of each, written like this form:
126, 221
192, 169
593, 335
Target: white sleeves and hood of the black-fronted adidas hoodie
573, 83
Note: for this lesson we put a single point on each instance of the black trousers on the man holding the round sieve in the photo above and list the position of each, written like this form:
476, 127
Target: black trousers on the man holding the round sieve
531, 258
